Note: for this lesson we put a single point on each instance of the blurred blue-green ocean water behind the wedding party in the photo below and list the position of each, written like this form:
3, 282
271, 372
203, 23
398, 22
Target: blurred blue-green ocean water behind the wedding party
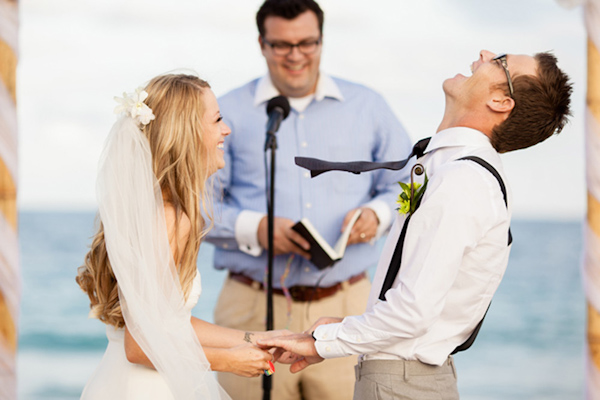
530, 347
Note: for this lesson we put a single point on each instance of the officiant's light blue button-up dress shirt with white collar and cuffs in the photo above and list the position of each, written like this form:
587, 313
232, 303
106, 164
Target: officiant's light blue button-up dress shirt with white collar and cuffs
344, 122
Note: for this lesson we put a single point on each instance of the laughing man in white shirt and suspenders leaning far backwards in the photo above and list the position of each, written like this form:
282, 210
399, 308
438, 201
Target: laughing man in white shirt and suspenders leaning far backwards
454, 252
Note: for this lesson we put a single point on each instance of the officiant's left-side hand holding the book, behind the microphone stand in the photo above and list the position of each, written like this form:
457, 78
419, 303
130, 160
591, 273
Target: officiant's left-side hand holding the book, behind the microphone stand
285, 239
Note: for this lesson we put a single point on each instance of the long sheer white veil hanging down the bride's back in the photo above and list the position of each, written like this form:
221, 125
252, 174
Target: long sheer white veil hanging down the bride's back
131, 211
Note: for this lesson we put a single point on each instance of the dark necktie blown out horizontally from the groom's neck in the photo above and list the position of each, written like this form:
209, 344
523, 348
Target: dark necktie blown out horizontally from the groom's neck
317, 166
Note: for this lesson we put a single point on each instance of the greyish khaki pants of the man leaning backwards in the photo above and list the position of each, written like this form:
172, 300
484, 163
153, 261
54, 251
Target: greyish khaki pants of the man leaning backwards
405, 380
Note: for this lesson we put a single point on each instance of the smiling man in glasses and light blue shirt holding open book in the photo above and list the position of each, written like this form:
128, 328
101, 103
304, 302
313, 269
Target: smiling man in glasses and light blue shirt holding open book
331, 118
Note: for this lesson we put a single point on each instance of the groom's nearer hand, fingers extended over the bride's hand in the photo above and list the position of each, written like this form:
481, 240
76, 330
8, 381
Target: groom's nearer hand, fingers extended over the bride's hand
301, 345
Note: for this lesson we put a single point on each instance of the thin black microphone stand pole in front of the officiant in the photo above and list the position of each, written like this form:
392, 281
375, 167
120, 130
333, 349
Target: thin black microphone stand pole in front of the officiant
271, 143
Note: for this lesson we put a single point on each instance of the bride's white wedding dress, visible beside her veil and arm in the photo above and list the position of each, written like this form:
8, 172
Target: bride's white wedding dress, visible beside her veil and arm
118, 379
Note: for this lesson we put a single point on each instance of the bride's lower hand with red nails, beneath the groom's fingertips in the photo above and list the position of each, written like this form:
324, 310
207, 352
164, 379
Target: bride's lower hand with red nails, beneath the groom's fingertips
247, 360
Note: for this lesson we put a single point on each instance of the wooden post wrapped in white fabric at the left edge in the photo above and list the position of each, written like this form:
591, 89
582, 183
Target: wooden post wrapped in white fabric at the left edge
8, 214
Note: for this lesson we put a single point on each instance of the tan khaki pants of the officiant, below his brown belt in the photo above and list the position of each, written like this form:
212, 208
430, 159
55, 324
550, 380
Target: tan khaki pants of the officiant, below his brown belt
243, 307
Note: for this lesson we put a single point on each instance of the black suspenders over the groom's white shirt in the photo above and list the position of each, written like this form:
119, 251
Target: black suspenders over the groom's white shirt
396, 260
